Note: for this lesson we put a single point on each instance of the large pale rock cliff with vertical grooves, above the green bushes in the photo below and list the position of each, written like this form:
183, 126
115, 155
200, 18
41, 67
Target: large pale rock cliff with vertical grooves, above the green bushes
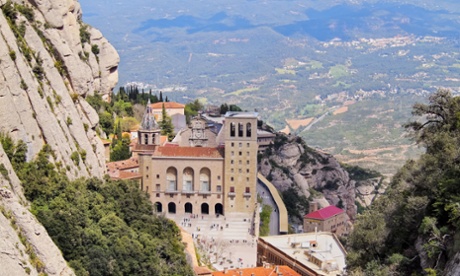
46, 72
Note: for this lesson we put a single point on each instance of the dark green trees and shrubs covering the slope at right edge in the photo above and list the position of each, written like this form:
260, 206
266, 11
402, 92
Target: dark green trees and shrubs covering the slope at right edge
414, 227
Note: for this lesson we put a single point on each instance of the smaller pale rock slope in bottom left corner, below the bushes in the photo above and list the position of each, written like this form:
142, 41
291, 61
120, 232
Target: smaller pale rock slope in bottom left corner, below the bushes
25, 247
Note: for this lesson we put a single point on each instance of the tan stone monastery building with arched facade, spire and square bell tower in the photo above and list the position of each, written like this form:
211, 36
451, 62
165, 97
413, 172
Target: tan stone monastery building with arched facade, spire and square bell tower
203, 171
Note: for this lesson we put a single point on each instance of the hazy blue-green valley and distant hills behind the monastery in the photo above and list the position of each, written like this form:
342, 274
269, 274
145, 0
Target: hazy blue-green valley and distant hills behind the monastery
295, 60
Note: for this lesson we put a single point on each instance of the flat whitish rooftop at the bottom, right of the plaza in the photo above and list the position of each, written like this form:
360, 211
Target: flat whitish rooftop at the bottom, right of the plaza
322, 247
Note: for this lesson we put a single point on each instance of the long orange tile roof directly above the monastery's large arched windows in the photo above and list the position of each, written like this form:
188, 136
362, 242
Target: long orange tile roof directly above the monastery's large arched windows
189, 152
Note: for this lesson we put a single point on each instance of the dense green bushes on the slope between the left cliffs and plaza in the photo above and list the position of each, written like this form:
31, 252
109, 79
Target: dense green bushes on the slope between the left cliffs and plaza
101, 227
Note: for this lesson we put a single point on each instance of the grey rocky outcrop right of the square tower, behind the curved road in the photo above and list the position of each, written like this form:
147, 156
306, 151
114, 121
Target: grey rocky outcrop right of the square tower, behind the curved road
291, 163
